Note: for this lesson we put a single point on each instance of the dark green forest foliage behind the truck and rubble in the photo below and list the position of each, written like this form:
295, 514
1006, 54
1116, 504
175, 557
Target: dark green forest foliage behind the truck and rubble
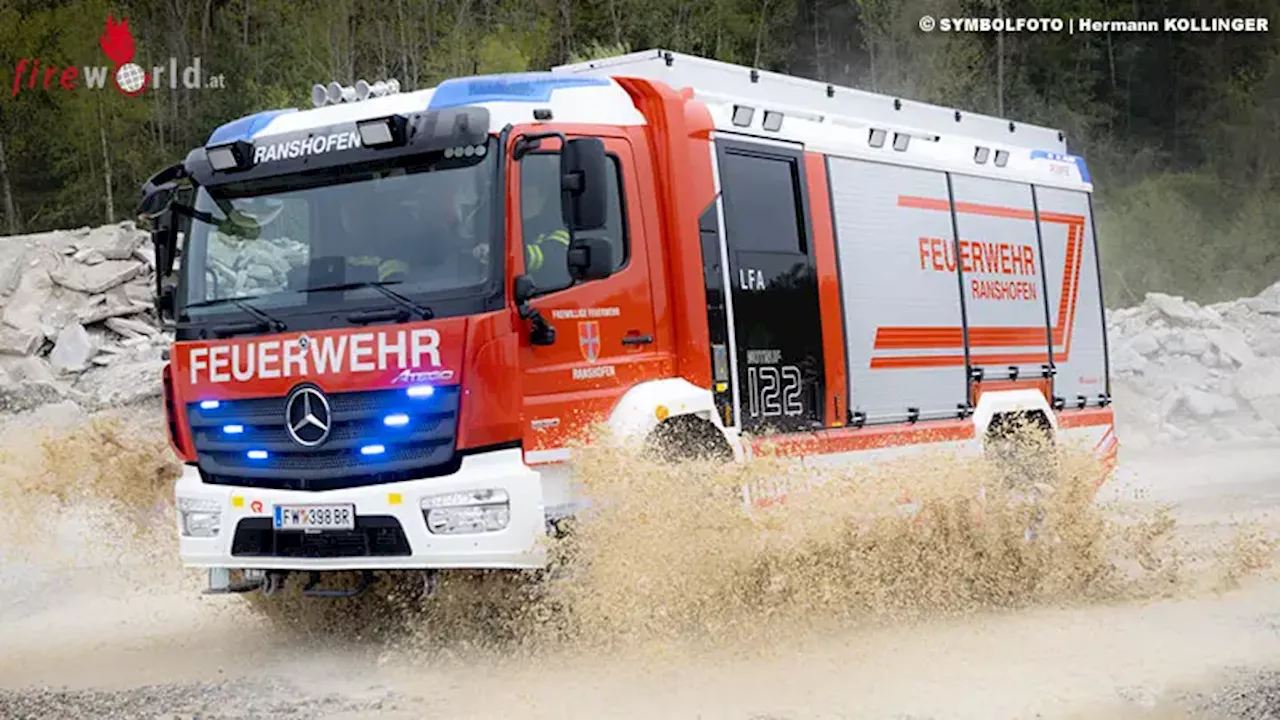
1182, 131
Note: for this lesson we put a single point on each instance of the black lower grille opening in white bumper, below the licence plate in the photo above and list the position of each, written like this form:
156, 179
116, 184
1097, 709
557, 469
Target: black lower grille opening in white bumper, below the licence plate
376, 536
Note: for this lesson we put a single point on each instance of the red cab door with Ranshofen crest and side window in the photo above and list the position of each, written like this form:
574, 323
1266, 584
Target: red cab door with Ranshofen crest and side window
605, 330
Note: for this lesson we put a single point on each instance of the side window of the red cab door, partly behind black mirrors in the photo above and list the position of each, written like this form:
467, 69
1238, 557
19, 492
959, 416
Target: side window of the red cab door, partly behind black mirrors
546, 240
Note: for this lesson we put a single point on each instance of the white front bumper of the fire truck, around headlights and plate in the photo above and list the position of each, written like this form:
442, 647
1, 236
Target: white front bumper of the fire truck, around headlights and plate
518, 546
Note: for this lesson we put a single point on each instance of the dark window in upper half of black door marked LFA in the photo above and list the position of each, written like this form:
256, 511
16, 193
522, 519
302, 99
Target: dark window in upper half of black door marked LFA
765, 204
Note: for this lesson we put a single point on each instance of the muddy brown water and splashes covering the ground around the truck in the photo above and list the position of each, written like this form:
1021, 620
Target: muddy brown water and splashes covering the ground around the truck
1156, 599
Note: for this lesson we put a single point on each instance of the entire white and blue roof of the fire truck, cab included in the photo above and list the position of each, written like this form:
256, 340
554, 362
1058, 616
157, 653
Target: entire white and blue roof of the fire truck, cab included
822, 117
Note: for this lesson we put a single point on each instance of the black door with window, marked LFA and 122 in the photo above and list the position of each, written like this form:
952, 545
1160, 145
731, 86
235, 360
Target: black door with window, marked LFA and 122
774, 288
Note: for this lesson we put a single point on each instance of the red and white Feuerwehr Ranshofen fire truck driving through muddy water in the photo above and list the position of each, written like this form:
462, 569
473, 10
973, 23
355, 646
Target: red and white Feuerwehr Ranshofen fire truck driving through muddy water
395, 311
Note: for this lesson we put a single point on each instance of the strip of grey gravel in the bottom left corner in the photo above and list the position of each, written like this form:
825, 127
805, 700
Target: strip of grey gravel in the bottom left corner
232, 700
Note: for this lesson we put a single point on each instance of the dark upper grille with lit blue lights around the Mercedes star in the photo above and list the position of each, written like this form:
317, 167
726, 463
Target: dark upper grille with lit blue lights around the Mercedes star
423, 448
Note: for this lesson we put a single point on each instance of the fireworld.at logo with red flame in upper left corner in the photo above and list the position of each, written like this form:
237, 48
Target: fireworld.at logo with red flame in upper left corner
127, 76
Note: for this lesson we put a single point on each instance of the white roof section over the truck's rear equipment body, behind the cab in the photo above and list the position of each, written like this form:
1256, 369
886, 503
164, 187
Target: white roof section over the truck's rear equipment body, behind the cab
854, 124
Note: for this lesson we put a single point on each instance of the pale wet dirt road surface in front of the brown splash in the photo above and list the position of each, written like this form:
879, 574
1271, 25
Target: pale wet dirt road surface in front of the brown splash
120, 632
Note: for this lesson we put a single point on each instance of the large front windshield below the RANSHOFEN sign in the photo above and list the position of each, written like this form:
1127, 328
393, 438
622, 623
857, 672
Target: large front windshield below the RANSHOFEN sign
422, 225
